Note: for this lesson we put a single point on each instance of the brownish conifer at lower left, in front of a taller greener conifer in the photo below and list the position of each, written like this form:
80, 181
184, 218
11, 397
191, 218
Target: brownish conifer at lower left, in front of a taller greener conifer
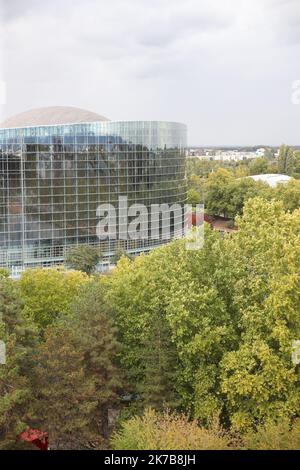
64, 396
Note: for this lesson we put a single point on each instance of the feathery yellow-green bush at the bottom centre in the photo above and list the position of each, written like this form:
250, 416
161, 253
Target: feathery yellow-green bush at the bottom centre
167, 432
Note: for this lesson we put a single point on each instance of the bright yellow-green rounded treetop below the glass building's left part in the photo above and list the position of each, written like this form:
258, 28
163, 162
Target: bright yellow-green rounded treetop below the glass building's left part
48, 293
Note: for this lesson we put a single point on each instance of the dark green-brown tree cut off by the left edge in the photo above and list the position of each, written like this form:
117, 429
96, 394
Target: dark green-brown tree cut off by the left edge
15, 390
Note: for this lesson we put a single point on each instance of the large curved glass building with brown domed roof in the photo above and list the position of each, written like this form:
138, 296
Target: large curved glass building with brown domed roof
57, 165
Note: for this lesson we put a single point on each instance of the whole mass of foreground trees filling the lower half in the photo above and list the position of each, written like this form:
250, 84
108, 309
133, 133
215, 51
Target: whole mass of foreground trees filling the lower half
206, 334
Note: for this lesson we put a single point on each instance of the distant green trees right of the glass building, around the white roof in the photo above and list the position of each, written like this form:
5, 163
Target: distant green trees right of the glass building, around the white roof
224, 189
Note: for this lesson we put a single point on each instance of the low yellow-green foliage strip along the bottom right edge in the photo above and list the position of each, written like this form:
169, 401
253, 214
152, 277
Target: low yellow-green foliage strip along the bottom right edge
173, 431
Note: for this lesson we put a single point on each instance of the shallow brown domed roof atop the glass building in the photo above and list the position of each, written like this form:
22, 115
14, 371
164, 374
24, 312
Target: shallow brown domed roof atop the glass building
51, 116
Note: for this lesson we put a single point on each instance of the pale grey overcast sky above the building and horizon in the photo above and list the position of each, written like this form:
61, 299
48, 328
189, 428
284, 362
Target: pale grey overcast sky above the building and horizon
225, 68
